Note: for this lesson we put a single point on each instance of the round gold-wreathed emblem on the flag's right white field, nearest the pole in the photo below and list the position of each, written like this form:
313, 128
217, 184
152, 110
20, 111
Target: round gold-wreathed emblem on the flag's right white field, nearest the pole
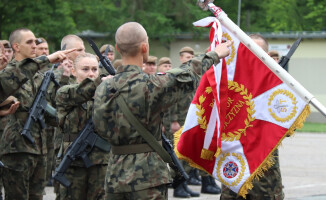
282, 105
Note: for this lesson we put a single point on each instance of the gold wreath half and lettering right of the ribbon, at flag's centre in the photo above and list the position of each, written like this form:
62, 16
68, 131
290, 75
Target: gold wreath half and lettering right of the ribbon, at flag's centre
236, 135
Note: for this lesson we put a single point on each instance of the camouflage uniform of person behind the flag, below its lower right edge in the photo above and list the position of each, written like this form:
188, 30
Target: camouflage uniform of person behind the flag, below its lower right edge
269, 187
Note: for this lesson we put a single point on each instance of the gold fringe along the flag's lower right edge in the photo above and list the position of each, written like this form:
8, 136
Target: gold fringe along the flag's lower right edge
269, 160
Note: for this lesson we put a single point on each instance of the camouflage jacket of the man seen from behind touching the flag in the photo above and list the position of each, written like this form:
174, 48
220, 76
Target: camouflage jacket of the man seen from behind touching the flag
147, 96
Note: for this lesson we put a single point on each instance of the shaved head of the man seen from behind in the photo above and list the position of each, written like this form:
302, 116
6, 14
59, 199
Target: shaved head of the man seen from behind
129, 37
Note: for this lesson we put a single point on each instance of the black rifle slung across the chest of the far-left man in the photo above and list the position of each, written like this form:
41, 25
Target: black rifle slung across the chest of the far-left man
40, 105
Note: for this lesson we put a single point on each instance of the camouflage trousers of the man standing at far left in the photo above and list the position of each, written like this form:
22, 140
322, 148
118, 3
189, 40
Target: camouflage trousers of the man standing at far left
24, 176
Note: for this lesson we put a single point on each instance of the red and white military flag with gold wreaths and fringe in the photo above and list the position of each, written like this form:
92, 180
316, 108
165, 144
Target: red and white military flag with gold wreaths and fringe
256, 111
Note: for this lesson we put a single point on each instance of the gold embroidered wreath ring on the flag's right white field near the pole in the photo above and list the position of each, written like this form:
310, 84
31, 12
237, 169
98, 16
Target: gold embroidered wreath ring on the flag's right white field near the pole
282, 107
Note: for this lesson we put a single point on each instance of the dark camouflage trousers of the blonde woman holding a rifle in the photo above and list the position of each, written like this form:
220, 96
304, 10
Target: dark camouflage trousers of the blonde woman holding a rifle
87, 183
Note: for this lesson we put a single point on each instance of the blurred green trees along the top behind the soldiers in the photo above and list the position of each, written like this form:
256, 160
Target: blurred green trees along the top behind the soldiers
52, 19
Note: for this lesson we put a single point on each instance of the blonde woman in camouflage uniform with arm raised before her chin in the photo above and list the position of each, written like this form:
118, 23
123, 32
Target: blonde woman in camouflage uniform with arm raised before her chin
74, 106
